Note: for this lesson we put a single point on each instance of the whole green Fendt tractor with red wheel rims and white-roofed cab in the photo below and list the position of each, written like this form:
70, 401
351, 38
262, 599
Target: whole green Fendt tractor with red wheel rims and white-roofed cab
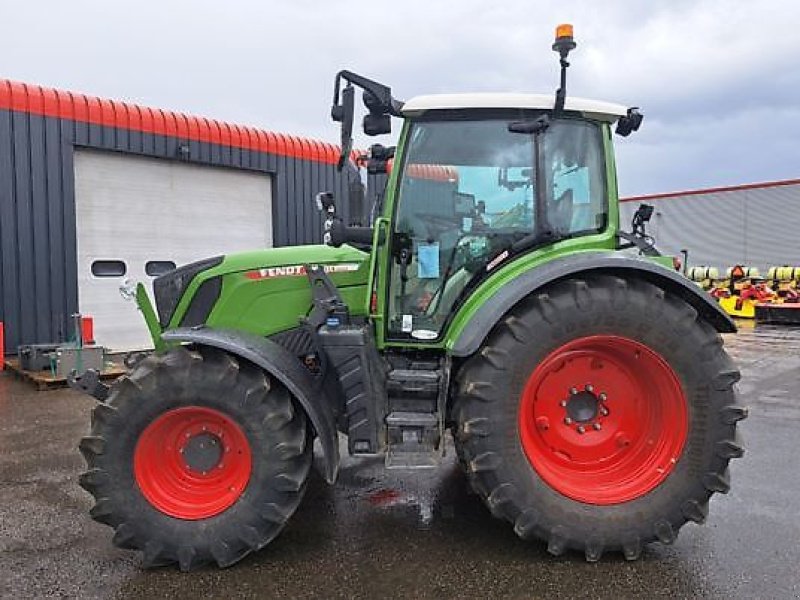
494, 297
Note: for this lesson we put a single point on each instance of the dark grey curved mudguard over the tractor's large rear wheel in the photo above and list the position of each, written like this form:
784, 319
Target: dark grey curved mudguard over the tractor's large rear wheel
578, 265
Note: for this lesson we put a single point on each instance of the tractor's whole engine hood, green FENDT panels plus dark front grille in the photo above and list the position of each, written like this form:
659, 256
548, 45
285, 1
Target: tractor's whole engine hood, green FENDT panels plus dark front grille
262, 291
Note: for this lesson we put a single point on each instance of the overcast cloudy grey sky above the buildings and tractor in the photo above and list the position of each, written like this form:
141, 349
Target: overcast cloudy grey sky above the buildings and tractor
718, 81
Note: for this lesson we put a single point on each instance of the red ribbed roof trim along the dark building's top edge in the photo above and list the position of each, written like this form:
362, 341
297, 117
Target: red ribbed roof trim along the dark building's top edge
32, 99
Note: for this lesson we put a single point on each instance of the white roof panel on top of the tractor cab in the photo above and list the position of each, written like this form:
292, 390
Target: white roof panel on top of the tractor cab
595, 109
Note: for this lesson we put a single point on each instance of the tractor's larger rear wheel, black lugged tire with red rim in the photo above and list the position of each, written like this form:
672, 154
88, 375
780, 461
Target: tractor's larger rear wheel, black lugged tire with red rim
628, 477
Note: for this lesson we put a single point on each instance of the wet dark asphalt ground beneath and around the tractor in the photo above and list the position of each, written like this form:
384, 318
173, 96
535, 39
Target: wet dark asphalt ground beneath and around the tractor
410, 534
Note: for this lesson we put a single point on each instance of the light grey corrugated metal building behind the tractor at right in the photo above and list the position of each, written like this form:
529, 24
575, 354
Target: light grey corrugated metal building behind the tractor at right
755, 225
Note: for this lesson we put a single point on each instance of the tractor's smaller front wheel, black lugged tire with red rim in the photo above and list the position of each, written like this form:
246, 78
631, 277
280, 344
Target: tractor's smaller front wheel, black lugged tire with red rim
196, 457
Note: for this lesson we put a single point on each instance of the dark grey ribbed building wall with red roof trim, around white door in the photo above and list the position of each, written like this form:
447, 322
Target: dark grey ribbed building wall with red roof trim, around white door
38, 260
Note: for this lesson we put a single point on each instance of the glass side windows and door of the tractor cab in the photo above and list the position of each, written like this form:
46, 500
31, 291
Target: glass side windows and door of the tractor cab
472, 193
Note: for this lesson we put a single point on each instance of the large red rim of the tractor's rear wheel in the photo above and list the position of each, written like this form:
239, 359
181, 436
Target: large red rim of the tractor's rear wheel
603, 419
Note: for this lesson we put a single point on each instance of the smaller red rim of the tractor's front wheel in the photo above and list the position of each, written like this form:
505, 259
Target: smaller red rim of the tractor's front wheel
192, 462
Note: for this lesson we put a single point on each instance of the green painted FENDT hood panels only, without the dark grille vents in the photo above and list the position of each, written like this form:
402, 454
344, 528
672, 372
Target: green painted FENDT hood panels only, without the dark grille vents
267, 291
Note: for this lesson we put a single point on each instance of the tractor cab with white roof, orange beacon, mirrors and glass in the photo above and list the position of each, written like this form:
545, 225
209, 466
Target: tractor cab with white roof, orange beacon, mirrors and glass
478, 180
